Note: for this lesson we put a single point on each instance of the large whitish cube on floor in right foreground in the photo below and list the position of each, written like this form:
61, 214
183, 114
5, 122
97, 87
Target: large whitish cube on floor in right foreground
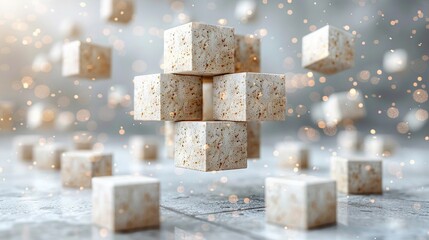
300, 202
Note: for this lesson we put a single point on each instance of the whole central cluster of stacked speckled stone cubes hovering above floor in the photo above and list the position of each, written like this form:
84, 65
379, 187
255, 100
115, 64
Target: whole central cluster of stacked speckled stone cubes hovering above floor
213, 91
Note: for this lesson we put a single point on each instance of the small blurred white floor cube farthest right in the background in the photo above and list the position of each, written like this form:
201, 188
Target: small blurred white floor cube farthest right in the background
380, 145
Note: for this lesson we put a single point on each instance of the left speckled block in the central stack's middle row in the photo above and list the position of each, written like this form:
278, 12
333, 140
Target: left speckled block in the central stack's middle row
167, 97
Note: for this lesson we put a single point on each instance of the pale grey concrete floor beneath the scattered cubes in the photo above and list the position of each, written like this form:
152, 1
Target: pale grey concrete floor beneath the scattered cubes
195, 205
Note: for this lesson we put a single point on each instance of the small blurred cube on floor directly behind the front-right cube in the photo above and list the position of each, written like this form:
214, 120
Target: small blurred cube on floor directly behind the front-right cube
292, 154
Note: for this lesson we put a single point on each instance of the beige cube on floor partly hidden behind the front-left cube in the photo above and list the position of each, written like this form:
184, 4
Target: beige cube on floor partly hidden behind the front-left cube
79, 167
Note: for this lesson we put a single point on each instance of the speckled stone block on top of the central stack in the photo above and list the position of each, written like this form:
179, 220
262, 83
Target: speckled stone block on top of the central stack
199, 49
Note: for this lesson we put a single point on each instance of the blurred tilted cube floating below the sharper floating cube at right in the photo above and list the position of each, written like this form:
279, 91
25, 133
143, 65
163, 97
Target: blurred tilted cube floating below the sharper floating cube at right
344, 107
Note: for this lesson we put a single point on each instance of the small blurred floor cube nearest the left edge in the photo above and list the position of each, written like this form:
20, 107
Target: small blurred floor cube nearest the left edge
24, 145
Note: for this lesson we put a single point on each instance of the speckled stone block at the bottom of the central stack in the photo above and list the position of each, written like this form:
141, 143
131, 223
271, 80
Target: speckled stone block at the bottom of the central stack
211, 146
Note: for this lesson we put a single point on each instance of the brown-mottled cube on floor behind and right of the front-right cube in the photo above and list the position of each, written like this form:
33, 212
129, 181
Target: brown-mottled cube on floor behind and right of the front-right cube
357, 175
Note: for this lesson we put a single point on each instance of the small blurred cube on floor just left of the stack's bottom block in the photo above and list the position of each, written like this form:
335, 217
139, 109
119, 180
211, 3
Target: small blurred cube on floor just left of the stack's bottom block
143, 147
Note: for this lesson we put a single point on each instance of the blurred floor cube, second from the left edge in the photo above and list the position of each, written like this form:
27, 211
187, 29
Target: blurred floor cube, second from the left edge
48, 156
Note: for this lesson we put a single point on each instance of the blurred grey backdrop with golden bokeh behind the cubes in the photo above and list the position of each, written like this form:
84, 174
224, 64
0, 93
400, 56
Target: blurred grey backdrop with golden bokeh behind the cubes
30, 29
